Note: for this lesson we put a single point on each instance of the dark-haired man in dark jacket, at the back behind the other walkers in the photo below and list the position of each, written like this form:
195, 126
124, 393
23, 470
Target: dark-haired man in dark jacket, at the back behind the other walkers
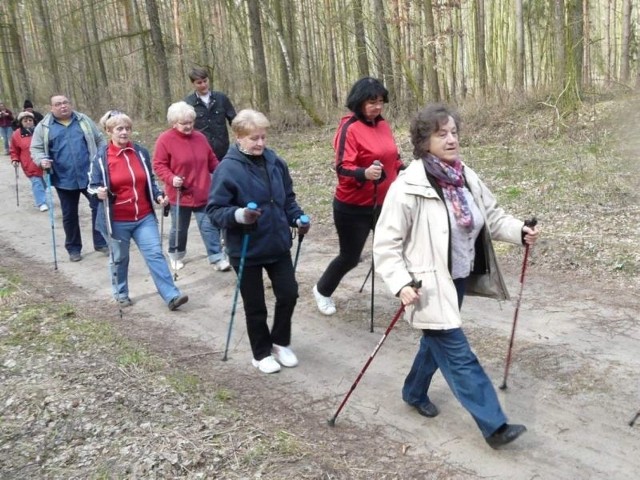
213, 111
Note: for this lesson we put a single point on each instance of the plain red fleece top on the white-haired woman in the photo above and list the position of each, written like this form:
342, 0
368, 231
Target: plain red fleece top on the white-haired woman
189, 157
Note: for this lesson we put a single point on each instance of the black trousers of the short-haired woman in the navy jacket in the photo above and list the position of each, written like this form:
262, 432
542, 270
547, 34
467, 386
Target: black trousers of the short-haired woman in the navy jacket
285, 289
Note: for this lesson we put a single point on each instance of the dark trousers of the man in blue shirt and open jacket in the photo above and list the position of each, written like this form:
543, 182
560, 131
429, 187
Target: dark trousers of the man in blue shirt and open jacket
69, 202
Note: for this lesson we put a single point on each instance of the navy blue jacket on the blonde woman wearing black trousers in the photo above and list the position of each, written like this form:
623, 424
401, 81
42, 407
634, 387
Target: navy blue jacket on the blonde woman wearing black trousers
238, 181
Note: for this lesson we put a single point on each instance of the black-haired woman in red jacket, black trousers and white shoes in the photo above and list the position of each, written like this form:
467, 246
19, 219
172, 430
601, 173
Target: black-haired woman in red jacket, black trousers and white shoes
367, 162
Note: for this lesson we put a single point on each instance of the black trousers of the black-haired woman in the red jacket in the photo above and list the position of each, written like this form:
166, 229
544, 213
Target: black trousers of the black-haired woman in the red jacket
353, 230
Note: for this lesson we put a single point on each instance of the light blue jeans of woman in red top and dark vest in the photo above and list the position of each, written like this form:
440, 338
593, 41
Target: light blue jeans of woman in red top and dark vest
145, 233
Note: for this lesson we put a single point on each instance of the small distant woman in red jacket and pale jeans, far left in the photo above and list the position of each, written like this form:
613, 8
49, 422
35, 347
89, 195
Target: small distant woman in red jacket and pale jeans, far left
19, 152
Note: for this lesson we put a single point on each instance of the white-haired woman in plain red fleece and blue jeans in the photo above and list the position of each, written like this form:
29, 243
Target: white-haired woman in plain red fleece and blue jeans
184, 161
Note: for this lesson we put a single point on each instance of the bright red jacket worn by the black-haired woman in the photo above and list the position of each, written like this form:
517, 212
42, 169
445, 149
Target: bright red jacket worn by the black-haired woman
357, 144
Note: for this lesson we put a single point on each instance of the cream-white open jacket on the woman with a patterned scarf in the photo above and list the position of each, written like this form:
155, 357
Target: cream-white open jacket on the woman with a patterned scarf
411, 243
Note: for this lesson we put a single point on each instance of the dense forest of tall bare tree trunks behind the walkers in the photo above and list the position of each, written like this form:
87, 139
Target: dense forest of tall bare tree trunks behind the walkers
296, 59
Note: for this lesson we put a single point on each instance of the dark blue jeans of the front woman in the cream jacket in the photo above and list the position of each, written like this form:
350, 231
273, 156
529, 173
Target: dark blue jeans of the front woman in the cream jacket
449, 350
